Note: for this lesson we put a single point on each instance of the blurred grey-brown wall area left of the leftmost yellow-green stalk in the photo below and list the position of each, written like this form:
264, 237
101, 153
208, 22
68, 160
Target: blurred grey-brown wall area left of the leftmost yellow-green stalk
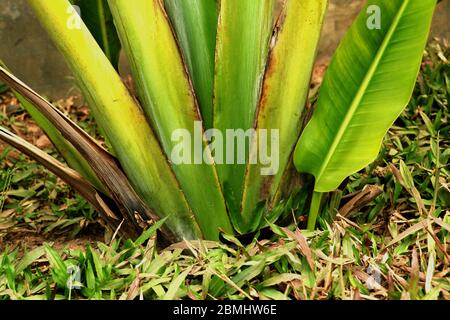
28, 52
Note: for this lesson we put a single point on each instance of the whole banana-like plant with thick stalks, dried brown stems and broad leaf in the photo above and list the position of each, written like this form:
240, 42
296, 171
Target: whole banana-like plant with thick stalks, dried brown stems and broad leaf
208, 72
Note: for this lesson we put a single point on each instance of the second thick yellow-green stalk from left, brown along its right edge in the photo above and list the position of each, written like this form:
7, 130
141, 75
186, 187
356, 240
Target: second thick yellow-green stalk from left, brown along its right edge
166, 94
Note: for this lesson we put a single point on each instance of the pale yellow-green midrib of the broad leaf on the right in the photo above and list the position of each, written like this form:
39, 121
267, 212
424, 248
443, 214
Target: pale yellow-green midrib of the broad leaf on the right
362, 89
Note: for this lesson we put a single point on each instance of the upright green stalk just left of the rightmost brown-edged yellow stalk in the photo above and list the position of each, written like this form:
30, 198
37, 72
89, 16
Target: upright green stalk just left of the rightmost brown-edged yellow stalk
243, 37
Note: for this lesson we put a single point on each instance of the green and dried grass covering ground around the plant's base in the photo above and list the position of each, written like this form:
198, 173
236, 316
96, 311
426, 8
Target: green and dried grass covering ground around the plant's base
384, 235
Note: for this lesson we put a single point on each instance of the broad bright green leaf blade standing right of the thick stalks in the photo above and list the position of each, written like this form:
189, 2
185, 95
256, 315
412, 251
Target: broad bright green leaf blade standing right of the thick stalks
369, 82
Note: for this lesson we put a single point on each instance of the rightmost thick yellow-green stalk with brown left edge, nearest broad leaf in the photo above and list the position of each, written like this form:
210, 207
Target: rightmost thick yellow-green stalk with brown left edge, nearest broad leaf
284, 95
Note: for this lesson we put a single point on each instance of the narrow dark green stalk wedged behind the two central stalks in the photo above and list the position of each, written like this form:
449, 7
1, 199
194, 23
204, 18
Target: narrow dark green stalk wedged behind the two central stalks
195, 24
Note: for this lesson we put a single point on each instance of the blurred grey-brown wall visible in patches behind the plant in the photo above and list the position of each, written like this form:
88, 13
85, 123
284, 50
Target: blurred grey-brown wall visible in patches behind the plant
27, 51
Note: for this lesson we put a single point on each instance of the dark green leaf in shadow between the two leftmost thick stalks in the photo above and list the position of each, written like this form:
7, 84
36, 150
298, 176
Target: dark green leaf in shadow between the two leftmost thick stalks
98, 19
